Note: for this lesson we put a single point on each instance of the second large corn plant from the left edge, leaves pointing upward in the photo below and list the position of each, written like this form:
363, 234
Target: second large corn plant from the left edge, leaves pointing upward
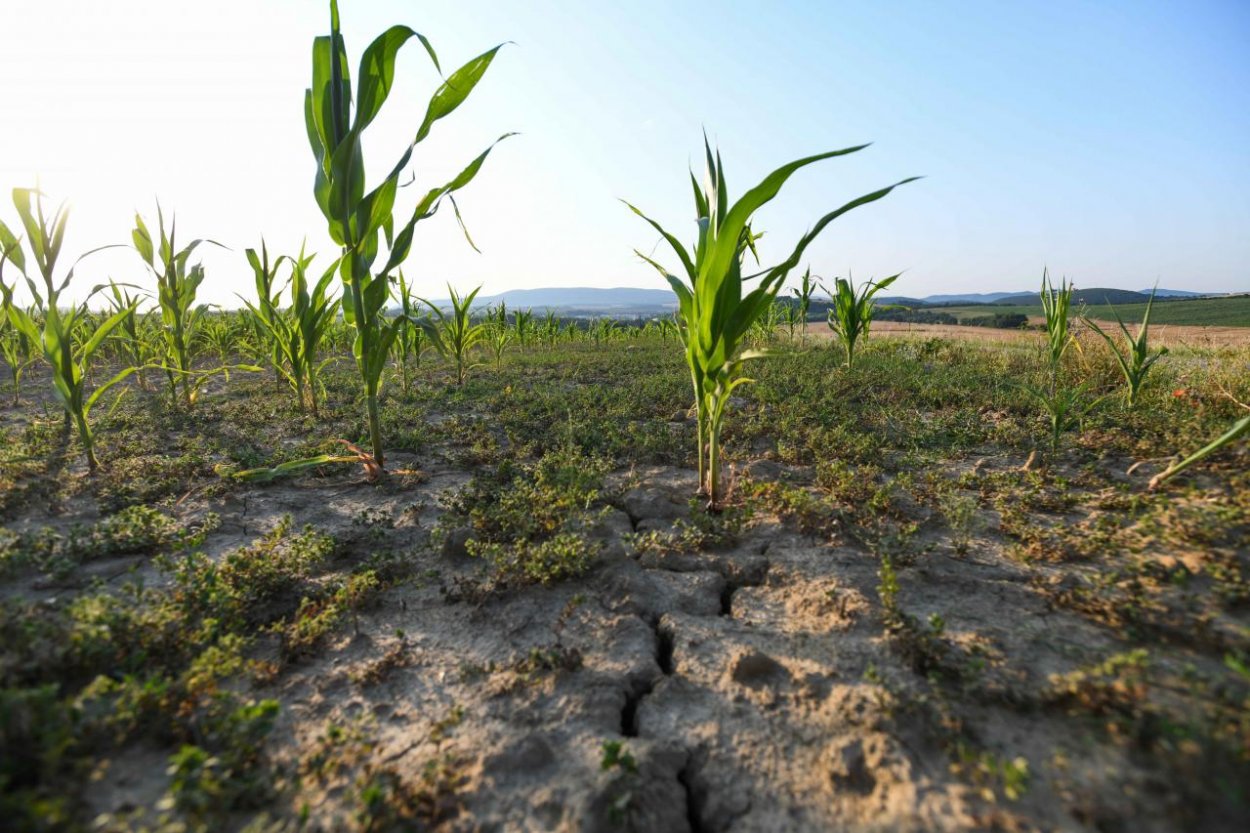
178, 282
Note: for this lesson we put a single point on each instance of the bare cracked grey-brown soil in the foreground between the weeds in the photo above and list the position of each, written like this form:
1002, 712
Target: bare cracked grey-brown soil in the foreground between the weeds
753, 686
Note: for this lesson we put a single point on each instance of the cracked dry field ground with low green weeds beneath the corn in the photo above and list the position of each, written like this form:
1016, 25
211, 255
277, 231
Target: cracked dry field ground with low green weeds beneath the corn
531, 623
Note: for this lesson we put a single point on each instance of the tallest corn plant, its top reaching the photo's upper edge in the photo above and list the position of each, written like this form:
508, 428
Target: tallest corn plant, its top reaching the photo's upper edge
358, 220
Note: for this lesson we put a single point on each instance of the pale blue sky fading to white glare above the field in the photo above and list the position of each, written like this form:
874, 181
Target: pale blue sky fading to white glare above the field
1111, 141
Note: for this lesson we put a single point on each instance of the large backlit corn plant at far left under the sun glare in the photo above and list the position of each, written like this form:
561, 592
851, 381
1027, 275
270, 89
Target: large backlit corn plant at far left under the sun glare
67, 337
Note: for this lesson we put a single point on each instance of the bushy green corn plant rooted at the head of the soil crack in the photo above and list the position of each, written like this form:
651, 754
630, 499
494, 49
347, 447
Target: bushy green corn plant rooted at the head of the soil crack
714, 308
